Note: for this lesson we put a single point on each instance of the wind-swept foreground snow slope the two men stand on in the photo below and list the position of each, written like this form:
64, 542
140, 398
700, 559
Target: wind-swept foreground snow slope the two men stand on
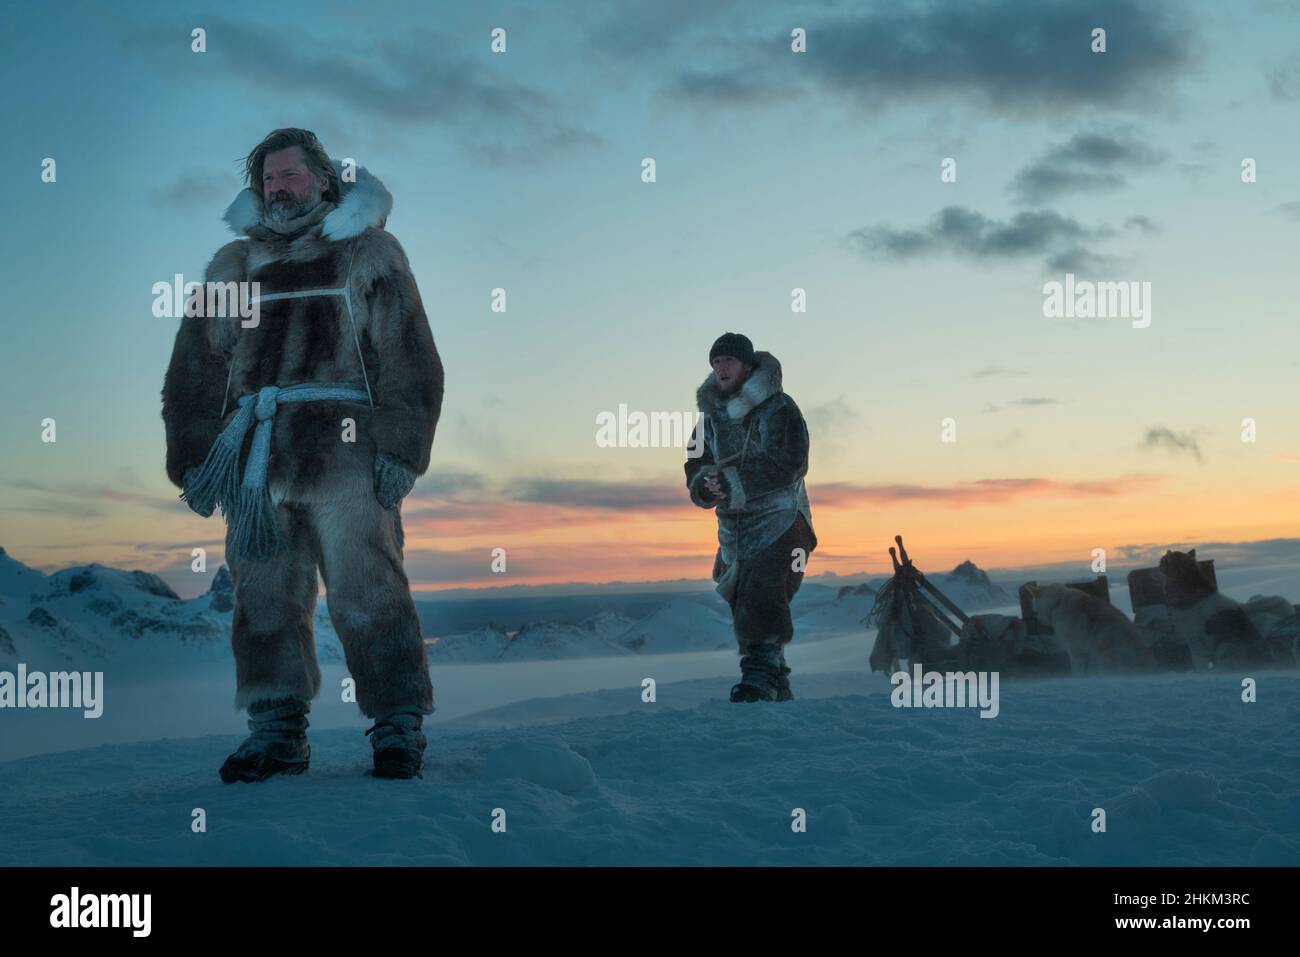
1188, 774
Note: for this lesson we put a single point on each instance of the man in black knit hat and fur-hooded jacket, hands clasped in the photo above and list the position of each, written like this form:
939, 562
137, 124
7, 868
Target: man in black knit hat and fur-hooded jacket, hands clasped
753, 454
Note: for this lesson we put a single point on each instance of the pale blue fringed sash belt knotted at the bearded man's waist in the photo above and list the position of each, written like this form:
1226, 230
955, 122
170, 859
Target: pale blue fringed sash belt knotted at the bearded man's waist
246, 504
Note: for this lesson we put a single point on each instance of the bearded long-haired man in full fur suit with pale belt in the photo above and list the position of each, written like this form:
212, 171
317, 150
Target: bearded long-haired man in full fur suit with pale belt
327, 406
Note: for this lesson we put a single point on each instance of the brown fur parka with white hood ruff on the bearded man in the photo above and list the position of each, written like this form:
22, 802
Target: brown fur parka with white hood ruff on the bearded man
300, 340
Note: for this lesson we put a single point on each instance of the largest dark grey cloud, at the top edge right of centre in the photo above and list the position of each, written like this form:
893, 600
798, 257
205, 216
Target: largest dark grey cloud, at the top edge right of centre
1007, 57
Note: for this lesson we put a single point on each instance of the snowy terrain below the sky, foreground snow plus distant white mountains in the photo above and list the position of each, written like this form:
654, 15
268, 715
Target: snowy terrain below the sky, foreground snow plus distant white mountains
588, 773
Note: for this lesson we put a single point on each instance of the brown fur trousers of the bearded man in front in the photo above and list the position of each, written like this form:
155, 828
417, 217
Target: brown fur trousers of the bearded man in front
357, 545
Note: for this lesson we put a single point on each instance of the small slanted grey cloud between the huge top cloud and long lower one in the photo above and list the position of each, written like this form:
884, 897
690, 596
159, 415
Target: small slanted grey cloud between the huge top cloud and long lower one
1086, 163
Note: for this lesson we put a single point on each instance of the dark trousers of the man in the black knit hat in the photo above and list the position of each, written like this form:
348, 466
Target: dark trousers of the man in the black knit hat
765, 586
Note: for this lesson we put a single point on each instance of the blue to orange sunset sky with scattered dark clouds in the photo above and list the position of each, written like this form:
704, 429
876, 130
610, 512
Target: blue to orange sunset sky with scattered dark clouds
775, 171
